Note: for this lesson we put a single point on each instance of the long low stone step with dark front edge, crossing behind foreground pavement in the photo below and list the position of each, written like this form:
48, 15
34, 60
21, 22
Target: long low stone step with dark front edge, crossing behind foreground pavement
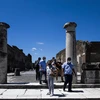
43, 86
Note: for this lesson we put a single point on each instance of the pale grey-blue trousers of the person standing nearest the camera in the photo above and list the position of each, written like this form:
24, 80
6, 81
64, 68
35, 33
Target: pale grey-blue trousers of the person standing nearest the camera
51, 84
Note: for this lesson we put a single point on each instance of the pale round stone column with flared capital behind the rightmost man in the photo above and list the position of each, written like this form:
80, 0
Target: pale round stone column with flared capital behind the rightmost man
71, 43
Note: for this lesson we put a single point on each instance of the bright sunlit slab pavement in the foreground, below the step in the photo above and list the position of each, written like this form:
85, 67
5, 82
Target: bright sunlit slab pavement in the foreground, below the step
32, 94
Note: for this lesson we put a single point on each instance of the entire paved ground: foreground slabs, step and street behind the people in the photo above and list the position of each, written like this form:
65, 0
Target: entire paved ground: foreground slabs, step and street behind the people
25, 87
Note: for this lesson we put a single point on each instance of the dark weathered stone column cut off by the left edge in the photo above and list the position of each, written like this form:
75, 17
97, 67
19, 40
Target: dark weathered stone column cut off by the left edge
3, 52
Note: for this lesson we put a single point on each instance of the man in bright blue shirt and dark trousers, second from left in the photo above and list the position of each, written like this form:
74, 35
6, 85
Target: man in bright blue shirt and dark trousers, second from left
42, 68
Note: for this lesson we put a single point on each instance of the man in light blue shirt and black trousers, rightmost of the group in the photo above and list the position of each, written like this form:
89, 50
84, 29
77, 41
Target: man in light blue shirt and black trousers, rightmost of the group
68, 70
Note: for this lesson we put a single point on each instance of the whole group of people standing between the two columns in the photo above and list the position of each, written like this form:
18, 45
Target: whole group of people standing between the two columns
51, 69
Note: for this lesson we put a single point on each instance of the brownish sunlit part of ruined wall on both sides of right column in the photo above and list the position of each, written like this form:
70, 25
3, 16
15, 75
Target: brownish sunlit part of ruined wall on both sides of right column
80, 50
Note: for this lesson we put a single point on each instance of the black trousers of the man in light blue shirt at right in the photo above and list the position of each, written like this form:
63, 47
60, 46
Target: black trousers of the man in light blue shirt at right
68, 80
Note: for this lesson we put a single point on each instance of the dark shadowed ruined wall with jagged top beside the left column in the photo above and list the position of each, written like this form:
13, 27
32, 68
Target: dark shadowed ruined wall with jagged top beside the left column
17, 59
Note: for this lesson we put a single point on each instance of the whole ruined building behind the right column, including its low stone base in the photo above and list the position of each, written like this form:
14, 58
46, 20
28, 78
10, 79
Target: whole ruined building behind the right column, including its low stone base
88, 60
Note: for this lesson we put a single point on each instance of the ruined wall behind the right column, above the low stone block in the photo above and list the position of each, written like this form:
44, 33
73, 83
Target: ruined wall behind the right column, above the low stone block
87, 52
